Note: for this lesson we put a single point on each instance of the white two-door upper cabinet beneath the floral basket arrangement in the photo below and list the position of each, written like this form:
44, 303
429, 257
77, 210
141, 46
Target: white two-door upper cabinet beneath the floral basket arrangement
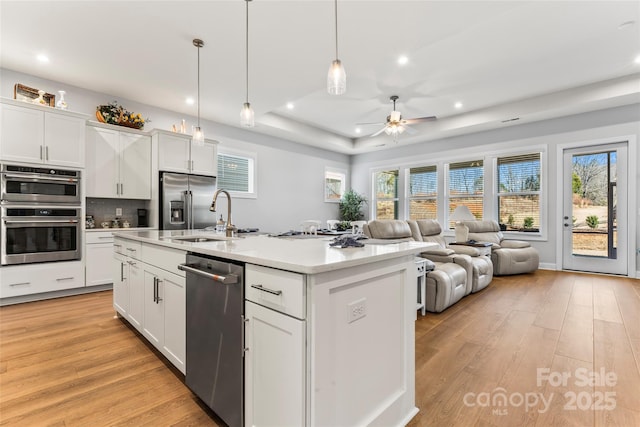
118, 164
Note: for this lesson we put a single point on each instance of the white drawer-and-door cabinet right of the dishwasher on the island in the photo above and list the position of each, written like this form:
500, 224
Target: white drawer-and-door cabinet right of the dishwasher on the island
275, 368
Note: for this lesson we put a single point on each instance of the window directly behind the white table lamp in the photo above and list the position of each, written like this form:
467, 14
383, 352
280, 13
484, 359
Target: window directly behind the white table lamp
466, 187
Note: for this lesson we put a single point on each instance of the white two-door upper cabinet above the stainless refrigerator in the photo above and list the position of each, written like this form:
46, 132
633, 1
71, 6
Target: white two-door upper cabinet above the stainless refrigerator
177, 153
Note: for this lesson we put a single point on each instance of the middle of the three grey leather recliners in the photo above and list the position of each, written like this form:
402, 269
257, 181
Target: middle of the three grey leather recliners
479, 268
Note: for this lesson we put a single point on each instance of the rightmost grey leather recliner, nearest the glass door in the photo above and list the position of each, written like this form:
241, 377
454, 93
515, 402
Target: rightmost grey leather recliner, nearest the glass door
508, 256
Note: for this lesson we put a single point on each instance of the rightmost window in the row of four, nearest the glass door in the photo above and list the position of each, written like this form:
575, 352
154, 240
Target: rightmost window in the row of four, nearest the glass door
519, 192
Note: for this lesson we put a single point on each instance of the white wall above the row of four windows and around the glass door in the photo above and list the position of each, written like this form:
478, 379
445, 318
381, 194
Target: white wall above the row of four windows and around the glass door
608, 124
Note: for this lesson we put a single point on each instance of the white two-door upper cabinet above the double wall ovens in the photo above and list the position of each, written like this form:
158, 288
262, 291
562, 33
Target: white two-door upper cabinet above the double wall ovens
41, 135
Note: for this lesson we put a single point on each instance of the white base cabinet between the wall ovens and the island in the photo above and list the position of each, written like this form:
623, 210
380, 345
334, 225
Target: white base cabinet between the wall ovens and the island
98, 247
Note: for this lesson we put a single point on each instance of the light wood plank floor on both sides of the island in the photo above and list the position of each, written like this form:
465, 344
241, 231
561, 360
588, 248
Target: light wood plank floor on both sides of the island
69, 362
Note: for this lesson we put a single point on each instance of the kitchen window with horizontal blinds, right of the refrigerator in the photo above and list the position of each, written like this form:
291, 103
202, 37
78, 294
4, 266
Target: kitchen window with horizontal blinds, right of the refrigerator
236, 174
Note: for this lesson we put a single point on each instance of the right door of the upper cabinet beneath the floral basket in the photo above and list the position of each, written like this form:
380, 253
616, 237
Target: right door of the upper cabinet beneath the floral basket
135, 166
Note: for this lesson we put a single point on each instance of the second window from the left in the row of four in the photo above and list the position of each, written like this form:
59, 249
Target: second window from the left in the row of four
423, 192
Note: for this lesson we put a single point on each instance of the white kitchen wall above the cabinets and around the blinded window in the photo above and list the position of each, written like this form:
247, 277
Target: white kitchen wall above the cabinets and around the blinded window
290, 175
